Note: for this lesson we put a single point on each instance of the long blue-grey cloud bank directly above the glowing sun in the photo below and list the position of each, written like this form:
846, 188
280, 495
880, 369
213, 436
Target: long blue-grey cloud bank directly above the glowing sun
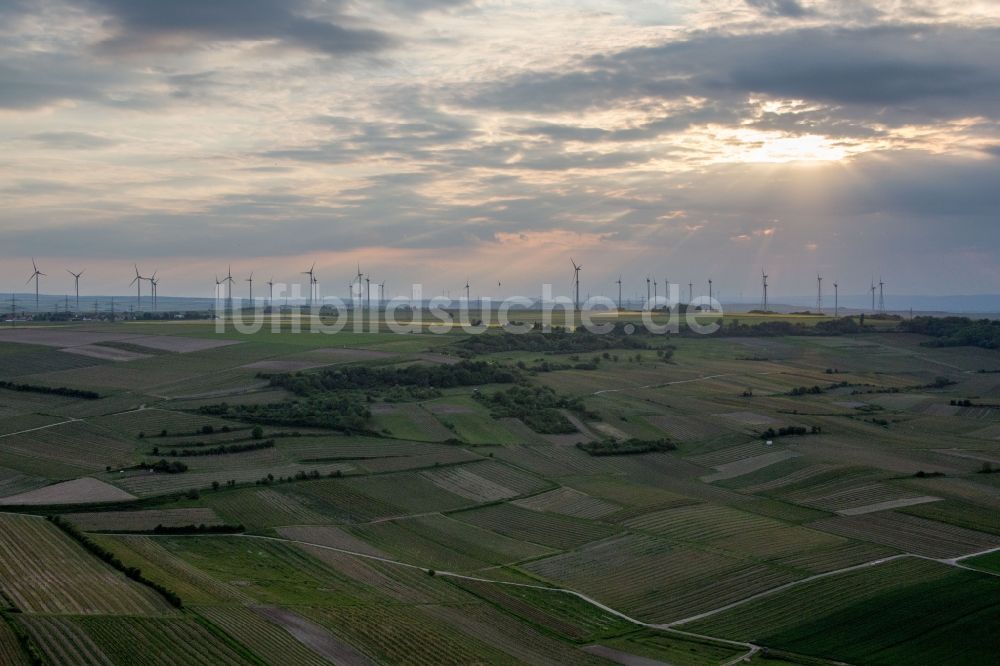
923, 72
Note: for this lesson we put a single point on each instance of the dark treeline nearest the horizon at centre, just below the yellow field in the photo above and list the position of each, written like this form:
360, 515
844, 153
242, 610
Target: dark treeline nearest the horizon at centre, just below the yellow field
556, 341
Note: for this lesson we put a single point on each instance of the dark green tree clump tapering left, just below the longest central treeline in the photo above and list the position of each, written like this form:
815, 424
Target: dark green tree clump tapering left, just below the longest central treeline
333, 412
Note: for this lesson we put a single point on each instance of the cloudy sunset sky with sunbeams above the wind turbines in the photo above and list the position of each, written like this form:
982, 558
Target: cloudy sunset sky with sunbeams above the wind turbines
439, 141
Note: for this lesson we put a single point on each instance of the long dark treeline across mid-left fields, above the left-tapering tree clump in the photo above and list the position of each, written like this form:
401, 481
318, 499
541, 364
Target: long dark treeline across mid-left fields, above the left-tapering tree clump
367, 378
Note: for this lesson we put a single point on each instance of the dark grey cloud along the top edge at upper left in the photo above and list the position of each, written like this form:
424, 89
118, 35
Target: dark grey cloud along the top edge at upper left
154, 25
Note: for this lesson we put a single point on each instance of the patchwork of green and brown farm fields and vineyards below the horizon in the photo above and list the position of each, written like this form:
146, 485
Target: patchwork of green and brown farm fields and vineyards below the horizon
229, 510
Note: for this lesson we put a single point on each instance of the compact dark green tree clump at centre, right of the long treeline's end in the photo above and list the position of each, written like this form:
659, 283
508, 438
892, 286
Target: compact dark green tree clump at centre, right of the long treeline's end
537, 406
